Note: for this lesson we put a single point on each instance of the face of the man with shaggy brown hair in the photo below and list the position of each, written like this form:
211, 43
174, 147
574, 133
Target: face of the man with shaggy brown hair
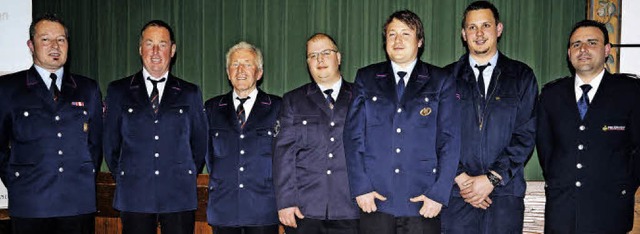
402, 43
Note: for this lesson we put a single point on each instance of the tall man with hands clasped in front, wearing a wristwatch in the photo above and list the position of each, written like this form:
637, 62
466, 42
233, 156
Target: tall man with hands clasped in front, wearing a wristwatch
498, 96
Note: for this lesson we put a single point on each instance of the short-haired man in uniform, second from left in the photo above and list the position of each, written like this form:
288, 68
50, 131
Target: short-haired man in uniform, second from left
155, 140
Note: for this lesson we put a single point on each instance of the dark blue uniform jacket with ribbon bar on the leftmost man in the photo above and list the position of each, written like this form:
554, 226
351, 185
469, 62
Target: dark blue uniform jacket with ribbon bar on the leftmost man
49, 151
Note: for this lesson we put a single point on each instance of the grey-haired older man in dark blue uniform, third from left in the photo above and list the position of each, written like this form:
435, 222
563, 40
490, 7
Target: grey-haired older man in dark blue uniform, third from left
241, 129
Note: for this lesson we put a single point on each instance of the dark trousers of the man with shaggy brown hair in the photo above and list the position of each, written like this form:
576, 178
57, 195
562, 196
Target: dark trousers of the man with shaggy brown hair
382, 223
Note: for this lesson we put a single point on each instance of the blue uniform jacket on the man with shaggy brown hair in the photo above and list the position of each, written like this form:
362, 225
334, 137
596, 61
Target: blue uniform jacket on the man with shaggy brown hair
403, 148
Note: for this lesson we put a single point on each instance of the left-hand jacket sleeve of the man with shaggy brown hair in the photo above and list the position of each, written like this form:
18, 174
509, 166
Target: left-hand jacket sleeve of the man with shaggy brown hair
354, 141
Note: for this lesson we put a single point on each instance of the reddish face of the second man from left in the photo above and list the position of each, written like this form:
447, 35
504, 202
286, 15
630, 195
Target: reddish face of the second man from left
156, 50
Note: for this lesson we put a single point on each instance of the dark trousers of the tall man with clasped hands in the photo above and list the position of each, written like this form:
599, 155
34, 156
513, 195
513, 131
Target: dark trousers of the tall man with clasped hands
505, 215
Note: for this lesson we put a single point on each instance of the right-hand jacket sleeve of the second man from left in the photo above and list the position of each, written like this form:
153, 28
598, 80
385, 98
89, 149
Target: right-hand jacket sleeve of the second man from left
199, 130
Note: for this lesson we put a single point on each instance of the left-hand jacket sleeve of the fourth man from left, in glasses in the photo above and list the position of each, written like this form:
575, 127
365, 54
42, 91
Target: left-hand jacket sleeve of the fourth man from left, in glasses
284, 161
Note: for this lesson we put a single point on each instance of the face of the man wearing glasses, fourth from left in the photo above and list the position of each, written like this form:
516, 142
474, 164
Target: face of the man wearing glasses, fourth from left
323, 60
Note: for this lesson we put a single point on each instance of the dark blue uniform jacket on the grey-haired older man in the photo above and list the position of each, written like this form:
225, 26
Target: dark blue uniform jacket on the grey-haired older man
239, 162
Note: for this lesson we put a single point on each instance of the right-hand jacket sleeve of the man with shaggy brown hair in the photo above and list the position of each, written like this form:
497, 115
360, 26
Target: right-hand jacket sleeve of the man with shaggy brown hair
447, 142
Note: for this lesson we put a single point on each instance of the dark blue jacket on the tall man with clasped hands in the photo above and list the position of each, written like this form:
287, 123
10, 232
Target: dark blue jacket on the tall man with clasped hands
498, 133
